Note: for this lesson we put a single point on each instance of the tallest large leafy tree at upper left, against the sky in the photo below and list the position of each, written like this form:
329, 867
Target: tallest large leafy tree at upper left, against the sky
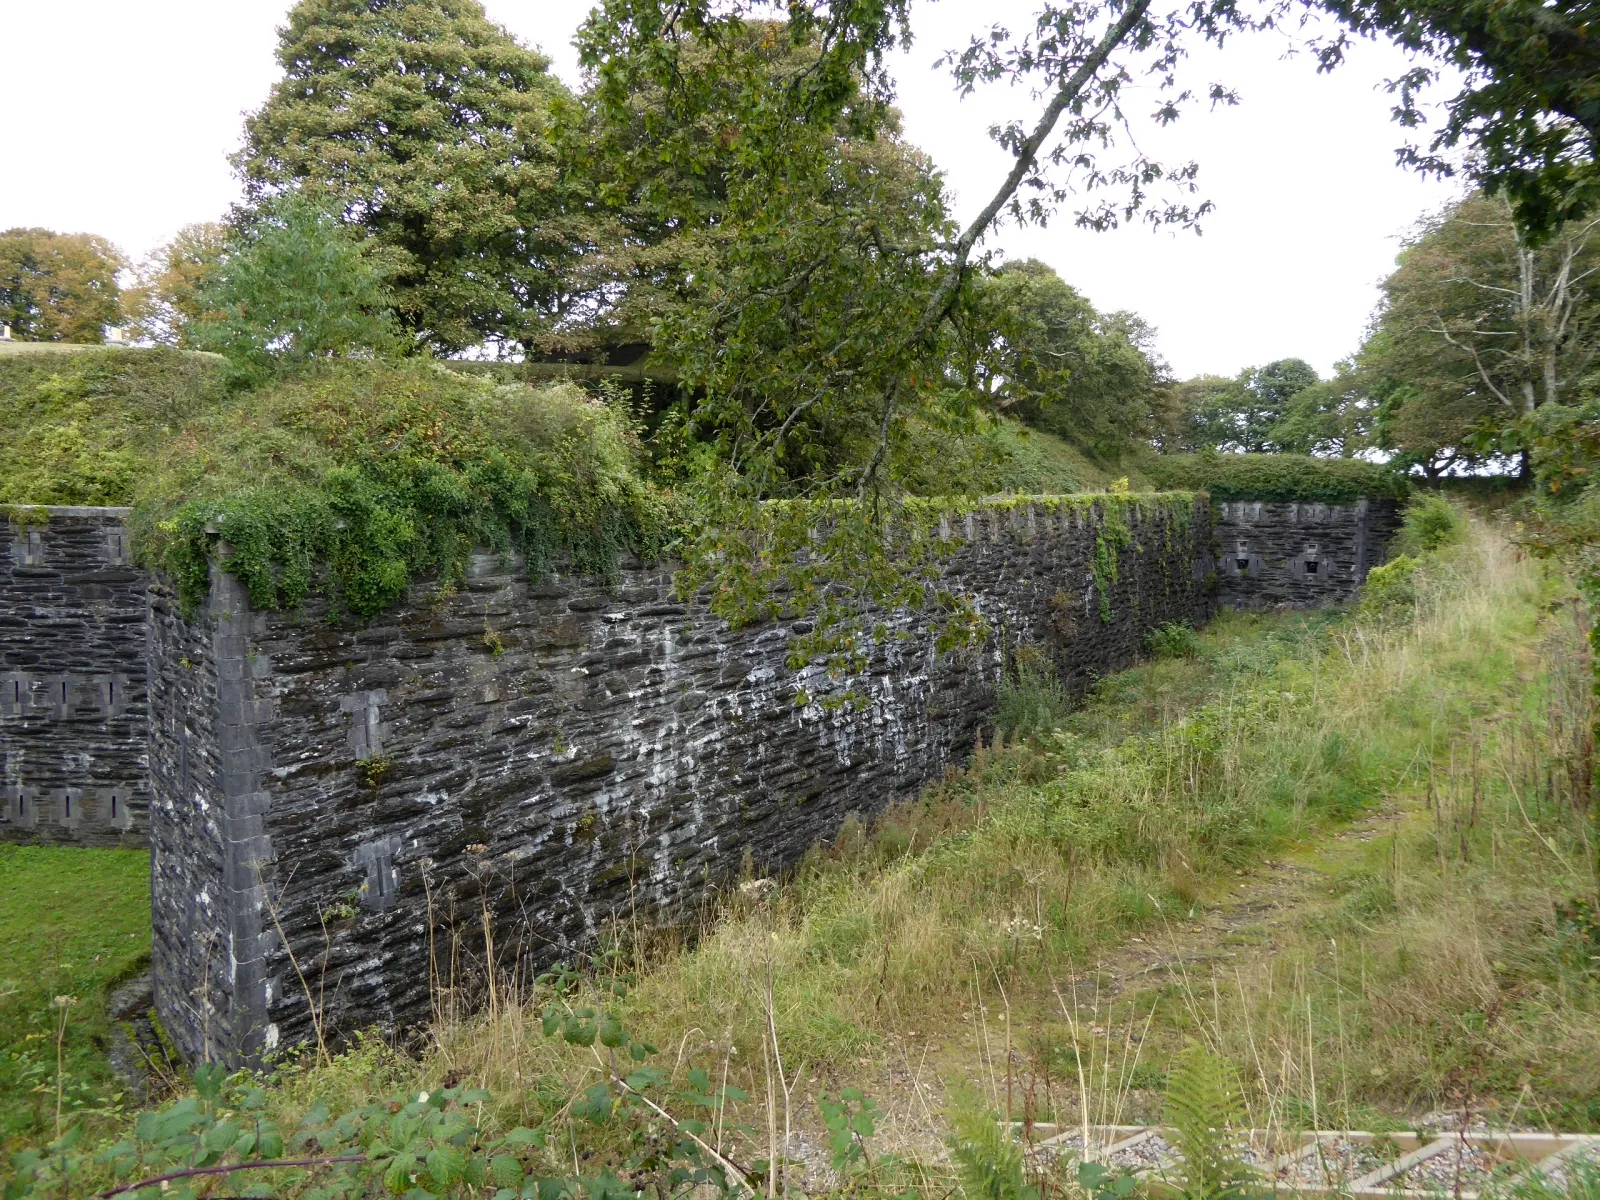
430, 129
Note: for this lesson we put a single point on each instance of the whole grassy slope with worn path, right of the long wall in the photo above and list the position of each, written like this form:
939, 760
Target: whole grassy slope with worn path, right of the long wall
1438, 953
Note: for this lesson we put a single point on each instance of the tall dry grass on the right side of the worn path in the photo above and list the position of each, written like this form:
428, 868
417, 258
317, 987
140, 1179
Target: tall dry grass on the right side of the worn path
1454, 964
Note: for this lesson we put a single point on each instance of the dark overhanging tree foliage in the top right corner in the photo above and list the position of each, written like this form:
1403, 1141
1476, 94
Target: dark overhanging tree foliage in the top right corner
1529, 111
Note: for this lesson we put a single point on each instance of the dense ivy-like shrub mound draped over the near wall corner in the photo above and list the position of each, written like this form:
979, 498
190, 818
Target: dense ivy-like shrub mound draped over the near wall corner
354, 479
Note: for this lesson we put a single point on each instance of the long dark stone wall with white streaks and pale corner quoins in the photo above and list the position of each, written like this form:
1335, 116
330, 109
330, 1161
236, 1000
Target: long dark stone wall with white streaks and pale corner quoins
561, 754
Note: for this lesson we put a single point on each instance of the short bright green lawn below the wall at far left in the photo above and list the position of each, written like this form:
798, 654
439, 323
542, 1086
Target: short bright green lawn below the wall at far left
73, 924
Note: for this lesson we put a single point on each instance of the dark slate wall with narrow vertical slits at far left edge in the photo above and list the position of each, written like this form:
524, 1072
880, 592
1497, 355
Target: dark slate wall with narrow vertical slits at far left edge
73, 706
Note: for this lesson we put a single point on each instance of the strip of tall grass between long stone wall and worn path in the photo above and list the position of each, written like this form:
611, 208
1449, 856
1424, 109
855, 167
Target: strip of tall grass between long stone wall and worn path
1038, 857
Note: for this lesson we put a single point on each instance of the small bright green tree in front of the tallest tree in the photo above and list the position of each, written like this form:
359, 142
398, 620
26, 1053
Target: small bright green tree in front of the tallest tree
292, 287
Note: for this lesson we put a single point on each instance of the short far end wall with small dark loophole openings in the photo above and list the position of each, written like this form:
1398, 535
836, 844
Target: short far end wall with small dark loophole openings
1298, 556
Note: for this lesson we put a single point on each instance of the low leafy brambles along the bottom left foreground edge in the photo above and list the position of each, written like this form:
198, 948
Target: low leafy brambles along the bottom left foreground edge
442, 1143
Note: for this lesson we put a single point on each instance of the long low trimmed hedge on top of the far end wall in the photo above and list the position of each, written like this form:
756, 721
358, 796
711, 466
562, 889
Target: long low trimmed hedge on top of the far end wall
1278, 478
